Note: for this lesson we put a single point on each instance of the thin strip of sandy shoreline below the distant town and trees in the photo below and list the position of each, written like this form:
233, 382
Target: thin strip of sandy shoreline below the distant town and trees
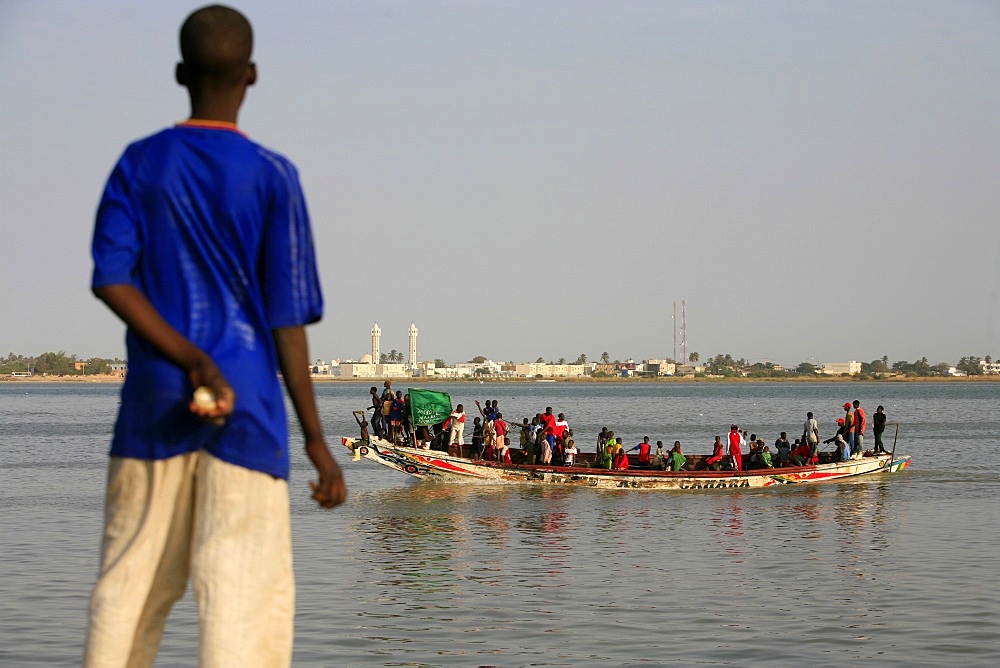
118, 379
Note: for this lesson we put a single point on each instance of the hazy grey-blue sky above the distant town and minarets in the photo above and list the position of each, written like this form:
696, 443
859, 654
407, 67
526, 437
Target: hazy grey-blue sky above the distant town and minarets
819, 180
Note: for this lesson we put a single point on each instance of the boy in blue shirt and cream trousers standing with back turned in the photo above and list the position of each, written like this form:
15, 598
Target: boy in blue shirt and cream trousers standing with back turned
203, 247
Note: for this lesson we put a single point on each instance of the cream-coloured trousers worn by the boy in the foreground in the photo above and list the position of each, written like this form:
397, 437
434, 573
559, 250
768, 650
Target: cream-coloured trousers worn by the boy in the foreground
194, 516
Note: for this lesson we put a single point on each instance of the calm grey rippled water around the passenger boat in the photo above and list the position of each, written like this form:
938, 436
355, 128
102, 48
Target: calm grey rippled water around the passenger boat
898, 570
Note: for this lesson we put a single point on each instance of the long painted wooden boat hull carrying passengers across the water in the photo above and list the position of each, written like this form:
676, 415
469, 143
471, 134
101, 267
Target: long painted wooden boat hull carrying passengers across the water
455, 467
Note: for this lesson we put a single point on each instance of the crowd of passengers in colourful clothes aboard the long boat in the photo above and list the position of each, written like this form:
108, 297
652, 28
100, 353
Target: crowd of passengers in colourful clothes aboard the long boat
547, 439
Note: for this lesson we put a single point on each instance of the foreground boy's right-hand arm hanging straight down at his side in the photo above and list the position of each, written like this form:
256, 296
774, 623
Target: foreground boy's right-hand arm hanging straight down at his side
293, 358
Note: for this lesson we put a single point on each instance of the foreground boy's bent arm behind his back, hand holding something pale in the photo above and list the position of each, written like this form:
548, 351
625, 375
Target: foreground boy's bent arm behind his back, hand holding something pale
141, 316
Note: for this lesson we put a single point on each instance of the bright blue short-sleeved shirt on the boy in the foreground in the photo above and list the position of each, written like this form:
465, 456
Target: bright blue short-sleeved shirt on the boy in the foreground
213, 229
